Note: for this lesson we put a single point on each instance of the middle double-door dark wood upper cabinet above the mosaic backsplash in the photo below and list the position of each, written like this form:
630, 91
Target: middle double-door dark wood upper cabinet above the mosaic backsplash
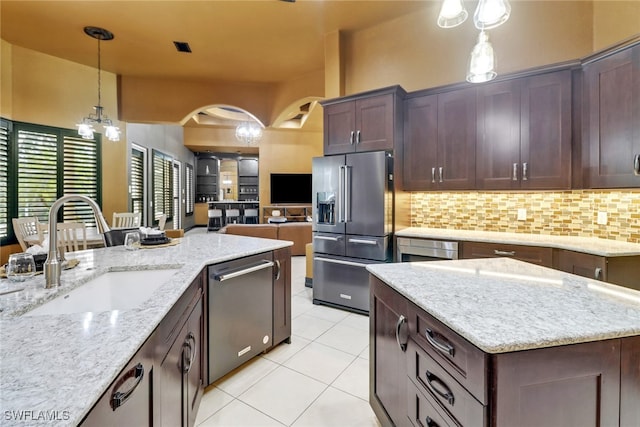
524, 133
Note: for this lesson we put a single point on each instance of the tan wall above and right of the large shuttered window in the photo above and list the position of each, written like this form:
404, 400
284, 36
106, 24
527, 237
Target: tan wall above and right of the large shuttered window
43, 89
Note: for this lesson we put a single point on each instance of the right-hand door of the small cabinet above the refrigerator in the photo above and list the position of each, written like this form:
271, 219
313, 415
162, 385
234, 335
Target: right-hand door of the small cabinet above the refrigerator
375, 121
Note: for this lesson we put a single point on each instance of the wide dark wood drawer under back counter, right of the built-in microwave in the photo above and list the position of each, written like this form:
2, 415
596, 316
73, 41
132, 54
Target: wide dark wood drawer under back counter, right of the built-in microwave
532, 254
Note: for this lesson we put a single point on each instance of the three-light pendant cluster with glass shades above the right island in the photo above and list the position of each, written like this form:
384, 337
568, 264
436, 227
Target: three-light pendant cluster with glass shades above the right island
489, 14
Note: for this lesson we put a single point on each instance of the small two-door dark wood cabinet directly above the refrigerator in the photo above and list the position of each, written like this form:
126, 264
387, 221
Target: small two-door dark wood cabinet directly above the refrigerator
367, 122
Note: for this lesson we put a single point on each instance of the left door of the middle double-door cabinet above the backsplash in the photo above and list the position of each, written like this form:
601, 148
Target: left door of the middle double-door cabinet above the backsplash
498, 151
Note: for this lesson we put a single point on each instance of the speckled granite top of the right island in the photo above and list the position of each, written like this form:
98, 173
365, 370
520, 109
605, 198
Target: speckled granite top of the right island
502, 305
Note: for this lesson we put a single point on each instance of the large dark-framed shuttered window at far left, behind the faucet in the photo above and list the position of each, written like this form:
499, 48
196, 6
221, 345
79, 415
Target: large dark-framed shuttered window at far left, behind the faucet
39, 165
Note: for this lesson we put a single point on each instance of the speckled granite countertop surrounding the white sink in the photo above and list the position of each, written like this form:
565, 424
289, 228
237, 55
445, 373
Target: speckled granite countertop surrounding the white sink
53, 368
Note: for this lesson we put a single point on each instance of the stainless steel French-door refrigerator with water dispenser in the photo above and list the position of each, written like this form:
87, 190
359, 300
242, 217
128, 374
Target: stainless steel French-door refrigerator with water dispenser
352, 225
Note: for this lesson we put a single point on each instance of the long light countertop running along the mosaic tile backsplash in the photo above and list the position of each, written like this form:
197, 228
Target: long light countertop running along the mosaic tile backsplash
590, 245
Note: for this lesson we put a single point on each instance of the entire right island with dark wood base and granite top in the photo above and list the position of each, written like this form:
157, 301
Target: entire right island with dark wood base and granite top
500, 342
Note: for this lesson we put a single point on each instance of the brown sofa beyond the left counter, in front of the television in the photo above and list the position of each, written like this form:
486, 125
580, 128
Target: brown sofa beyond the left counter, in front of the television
297, 232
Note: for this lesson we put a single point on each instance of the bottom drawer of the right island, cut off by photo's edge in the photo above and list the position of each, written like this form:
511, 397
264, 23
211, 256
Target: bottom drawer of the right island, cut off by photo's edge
424, 411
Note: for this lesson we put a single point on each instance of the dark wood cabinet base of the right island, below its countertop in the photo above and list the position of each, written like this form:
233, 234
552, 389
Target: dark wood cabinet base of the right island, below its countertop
434, 377
